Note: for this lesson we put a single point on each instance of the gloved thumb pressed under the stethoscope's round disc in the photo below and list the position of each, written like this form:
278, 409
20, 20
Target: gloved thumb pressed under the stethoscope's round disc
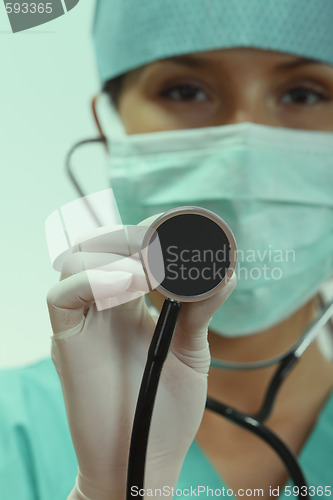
190, 339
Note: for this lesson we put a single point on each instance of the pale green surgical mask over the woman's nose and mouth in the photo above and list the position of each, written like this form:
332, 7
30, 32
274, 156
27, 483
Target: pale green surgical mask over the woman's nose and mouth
272, 186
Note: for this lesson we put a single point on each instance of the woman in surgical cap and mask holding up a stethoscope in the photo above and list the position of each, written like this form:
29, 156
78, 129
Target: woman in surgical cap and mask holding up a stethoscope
251, 81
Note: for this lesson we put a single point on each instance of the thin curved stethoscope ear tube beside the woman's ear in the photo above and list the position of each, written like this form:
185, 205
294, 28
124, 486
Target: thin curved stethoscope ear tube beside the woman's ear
69, 166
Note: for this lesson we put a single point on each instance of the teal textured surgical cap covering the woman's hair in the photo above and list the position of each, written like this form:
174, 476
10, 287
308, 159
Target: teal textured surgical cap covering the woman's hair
131, 33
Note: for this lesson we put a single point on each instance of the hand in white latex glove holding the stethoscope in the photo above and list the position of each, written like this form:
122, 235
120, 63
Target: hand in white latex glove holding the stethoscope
100, 358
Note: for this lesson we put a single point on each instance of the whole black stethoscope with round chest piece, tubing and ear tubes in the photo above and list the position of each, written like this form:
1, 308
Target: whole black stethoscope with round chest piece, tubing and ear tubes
179, 228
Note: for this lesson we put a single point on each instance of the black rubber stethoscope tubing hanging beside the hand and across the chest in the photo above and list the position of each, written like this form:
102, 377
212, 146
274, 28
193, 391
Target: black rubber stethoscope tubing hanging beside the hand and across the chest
254, 423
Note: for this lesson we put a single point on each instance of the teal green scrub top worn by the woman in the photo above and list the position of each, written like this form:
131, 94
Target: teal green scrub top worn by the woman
37, 459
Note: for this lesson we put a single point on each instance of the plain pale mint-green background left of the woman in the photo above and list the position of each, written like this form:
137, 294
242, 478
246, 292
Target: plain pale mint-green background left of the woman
48, 76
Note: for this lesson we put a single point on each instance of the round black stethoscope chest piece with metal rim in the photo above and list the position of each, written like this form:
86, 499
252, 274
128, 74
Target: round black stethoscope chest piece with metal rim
199, 254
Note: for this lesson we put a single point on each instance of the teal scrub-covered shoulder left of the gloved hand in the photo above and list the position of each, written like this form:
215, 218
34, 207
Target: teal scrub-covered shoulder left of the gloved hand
34, 435
